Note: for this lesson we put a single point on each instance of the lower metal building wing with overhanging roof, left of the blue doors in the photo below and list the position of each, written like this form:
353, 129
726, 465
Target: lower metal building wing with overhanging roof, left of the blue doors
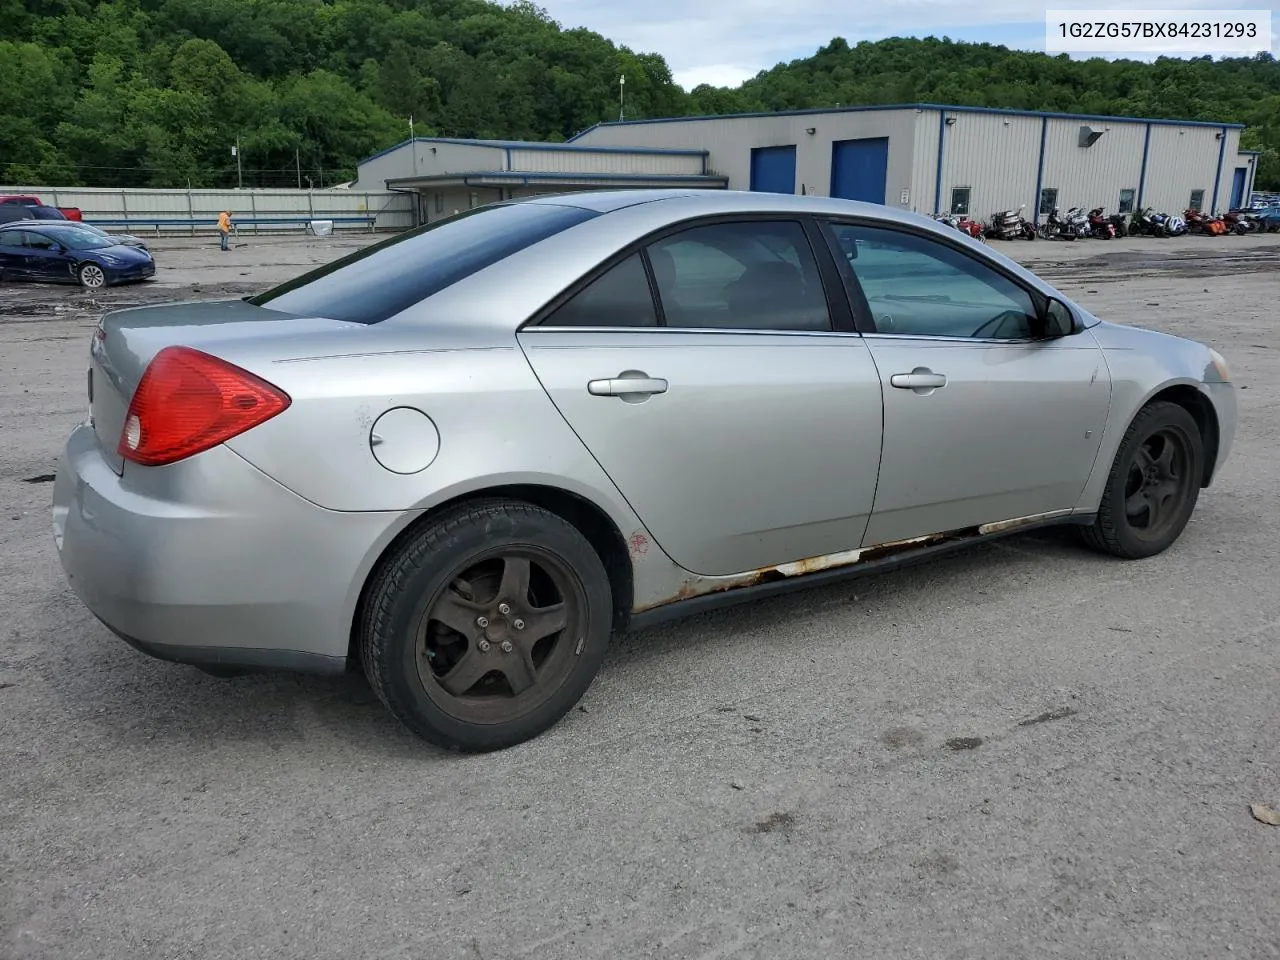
449, 176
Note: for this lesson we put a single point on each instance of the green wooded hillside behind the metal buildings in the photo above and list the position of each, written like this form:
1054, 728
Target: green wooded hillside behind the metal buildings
156, 93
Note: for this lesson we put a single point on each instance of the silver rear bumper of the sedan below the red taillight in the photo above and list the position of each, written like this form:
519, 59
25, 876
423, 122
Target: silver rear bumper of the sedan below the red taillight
211, 561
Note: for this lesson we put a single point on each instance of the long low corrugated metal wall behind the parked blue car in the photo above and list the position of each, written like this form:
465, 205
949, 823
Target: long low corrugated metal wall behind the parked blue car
184, 208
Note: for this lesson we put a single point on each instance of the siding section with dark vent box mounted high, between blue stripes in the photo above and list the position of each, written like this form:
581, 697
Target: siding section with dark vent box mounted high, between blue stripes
1095, 176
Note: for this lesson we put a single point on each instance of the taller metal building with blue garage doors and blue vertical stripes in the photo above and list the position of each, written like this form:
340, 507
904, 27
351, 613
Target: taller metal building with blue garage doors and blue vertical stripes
936, 159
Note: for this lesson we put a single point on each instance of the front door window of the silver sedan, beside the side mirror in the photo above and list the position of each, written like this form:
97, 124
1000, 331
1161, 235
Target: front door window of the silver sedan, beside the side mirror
921, 287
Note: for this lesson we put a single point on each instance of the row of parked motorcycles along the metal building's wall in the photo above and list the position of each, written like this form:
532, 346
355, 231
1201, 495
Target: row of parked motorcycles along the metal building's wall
1095, 225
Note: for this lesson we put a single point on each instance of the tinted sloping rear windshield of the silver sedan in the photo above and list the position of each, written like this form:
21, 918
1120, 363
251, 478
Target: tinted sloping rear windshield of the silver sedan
386, 278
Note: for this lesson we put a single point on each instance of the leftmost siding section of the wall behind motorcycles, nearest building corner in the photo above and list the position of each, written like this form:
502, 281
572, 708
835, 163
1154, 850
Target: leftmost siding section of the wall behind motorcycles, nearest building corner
996, 158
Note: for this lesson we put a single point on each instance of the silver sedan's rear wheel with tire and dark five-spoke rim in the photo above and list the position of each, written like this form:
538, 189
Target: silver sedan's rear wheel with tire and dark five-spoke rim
455, 568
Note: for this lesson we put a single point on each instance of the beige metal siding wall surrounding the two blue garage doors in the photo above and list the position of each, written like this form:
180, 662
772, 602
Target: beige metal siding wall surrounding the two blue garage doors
730, 140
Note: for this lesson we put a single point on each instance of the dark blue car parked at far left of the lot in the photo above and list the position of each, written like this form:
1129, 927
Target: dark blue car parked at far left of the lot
60, 252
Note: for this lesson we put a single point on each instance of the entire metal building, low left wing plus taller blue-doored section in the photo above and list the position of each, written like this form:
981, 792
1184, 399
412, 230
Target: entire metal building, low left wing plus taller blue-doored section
921, 157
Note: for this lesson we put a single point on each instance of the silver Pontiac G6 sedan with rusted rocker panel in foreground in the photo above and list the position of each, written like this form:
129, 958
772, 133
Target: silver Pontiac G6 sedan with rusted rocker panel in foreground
465, 456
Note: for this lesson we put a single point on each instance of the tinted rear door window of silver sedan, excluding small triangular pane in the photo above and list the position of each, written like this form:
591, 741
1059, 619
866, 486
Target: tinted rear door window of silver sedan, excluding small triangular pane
746, 276
